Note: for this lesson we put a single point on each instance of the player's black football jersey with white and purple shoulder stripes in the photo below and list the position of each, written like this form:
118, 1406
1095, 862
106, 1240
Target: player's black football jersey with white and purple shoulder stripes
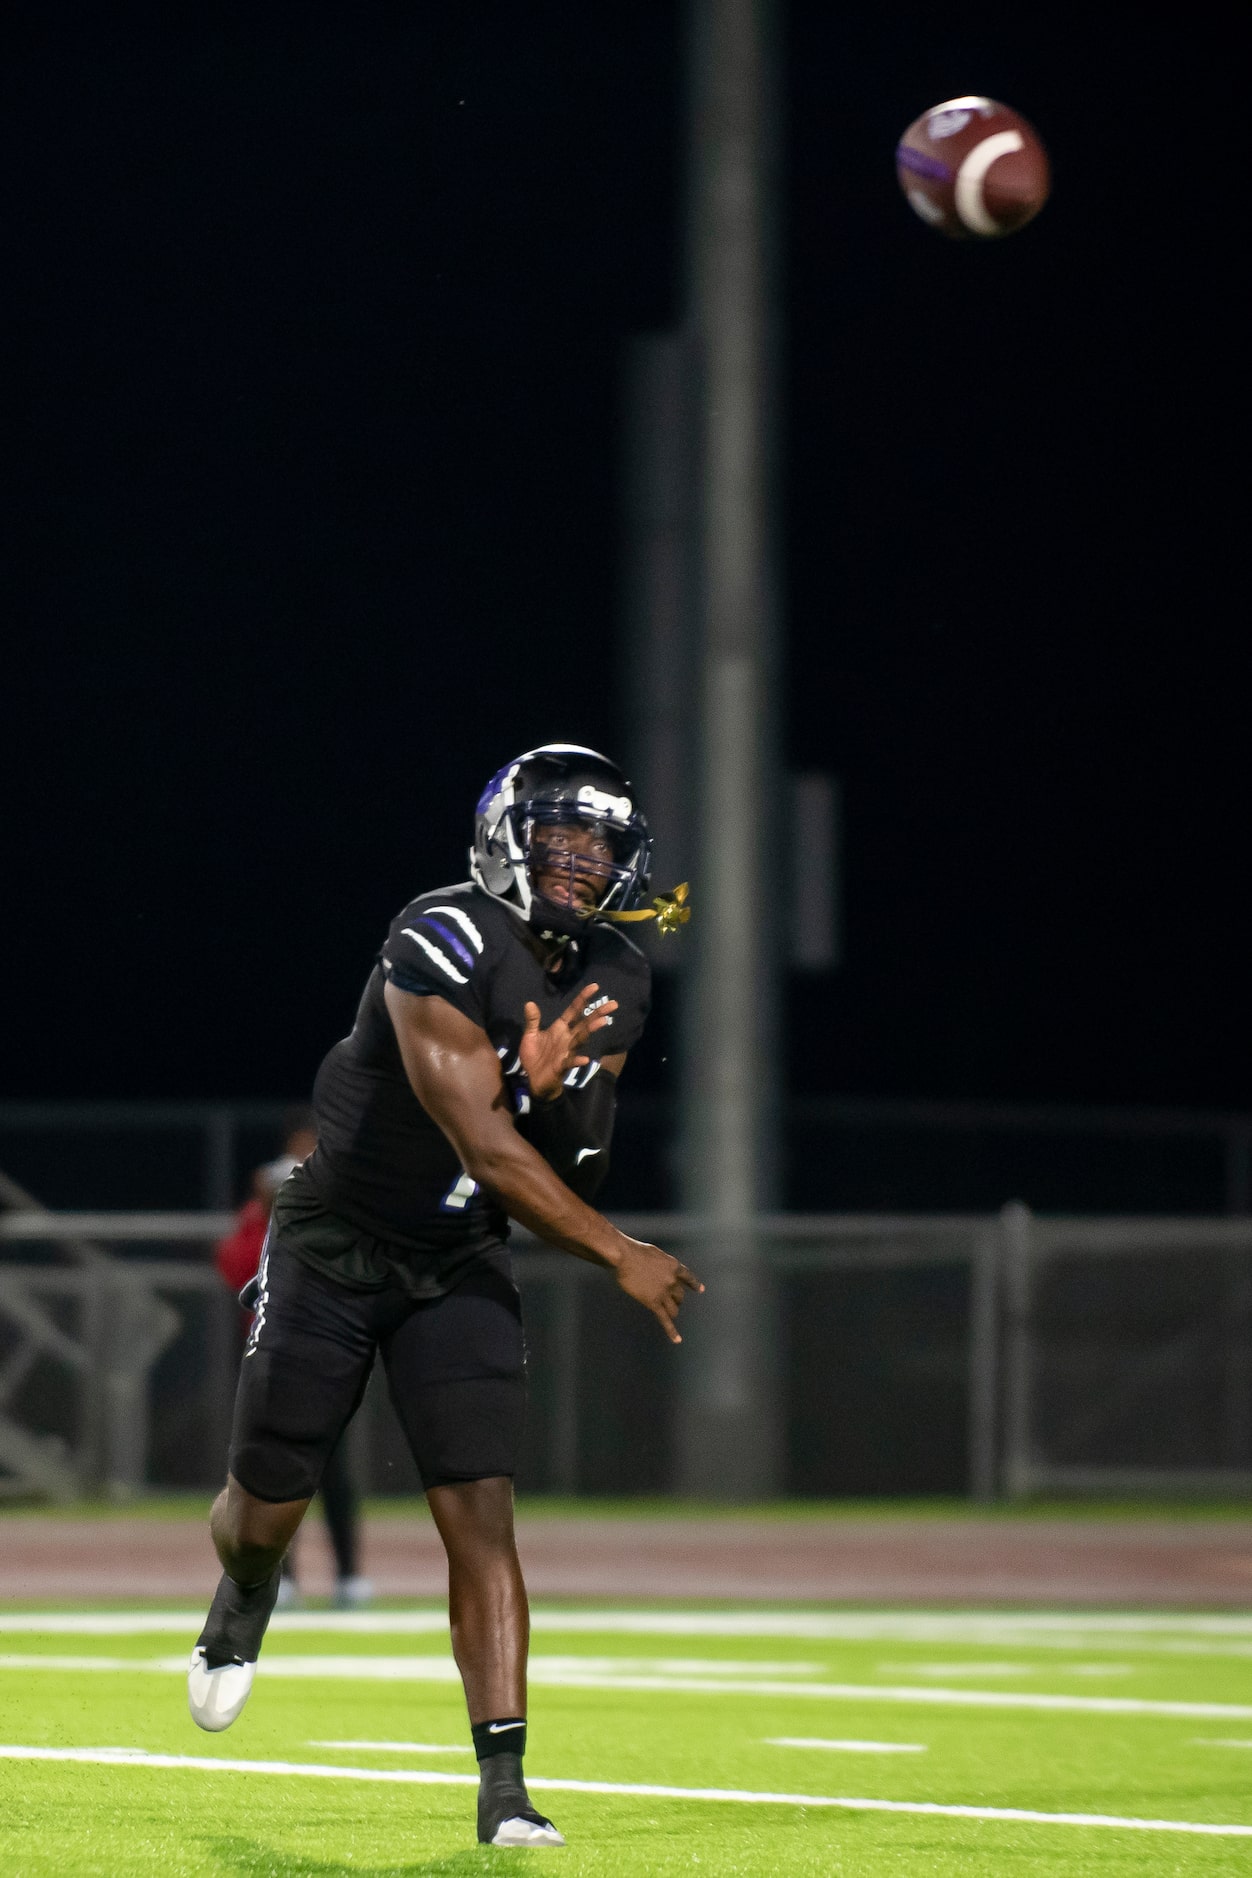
382, 1163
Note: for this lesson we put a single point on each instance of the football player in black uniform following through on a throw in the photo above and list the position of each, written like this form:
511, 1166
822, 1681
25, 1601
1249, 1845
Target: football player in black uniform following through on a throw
478, 1085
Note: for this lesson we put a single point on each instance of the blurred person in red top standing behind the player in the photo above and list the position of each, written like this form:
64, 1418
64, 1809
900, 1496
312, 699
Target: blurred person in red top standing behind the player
237, 1259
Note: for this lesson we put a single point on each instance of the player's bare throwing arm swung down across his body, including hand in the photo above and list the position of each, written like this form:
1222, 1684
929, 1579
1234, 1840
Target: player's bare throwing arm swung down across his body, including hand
457, 1077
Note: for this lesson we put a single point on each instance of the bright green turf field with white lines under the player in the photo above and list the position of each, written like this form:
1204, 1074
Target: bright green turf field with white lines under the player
354, 1757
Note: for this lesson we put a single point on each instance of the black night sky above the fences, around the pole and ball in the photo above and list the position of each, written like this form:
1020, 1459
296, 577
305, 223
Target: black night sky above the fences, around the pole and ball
314, 350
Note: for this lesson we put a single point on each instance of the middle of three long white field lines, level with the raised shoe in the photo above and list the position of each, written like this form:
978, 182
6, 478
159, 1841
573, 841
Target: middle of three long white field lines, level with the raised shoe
444, 1670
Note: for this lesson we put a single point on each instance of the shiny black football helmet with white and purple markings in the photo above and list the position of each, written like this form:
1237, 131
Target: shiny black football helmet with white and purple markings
560, 786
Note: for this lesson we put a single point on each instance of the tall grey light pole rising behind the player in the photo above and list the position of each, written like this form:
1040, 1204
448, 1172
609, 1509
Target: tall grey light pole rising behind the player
729, 1426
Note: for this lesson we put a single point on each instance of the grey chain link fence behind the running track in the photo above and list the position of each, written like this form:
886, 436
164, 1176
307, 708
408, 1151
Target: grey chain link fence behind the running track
990, 1355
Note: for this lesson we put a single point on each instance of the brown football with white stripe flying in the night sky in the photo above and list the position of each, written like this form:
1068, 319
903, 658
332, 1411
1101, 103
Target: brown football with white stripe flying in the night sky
973, 170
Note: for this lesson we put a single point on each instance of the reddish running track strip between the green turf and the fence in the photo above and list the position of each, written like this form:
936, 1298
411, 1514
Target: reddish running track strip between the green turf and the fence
870, 1562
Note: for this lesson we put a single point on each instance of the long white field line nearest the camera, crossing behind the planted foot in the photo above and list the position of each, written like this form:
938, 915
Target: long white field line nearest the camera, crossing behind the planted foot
421, 1778
